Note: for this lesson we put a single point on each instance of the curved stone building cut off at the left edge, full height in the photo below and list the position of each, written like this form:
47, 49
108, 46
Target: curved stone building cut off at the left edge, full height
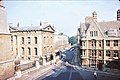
6, 53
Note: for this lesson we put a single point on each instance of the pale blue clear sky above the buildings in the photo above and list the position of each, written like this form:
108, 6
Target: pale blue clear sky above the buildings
66, 16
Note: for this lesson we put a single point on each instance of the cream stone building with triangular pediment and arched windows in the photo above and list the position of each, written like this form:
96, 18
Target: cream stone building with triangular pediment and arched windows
33, 41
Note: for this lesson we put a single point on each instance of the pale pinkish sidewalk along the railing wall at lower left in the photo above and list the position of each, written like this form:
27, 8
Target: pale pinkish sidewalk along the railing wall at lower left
33, 73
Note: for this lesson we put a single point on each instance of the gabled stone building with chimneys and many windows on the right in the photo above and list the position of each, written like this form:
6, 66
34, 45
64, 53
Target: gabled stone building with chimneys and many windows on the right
99, 41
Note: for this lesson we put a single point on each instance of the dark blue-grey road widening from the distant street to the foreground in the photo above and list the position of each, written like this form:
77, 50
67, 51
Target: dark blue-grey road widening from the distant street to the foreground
68, 71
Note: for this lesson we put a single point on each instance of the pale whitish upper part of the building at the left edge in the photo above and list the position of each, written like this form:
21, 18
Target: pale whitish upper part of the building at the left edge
3, 19
